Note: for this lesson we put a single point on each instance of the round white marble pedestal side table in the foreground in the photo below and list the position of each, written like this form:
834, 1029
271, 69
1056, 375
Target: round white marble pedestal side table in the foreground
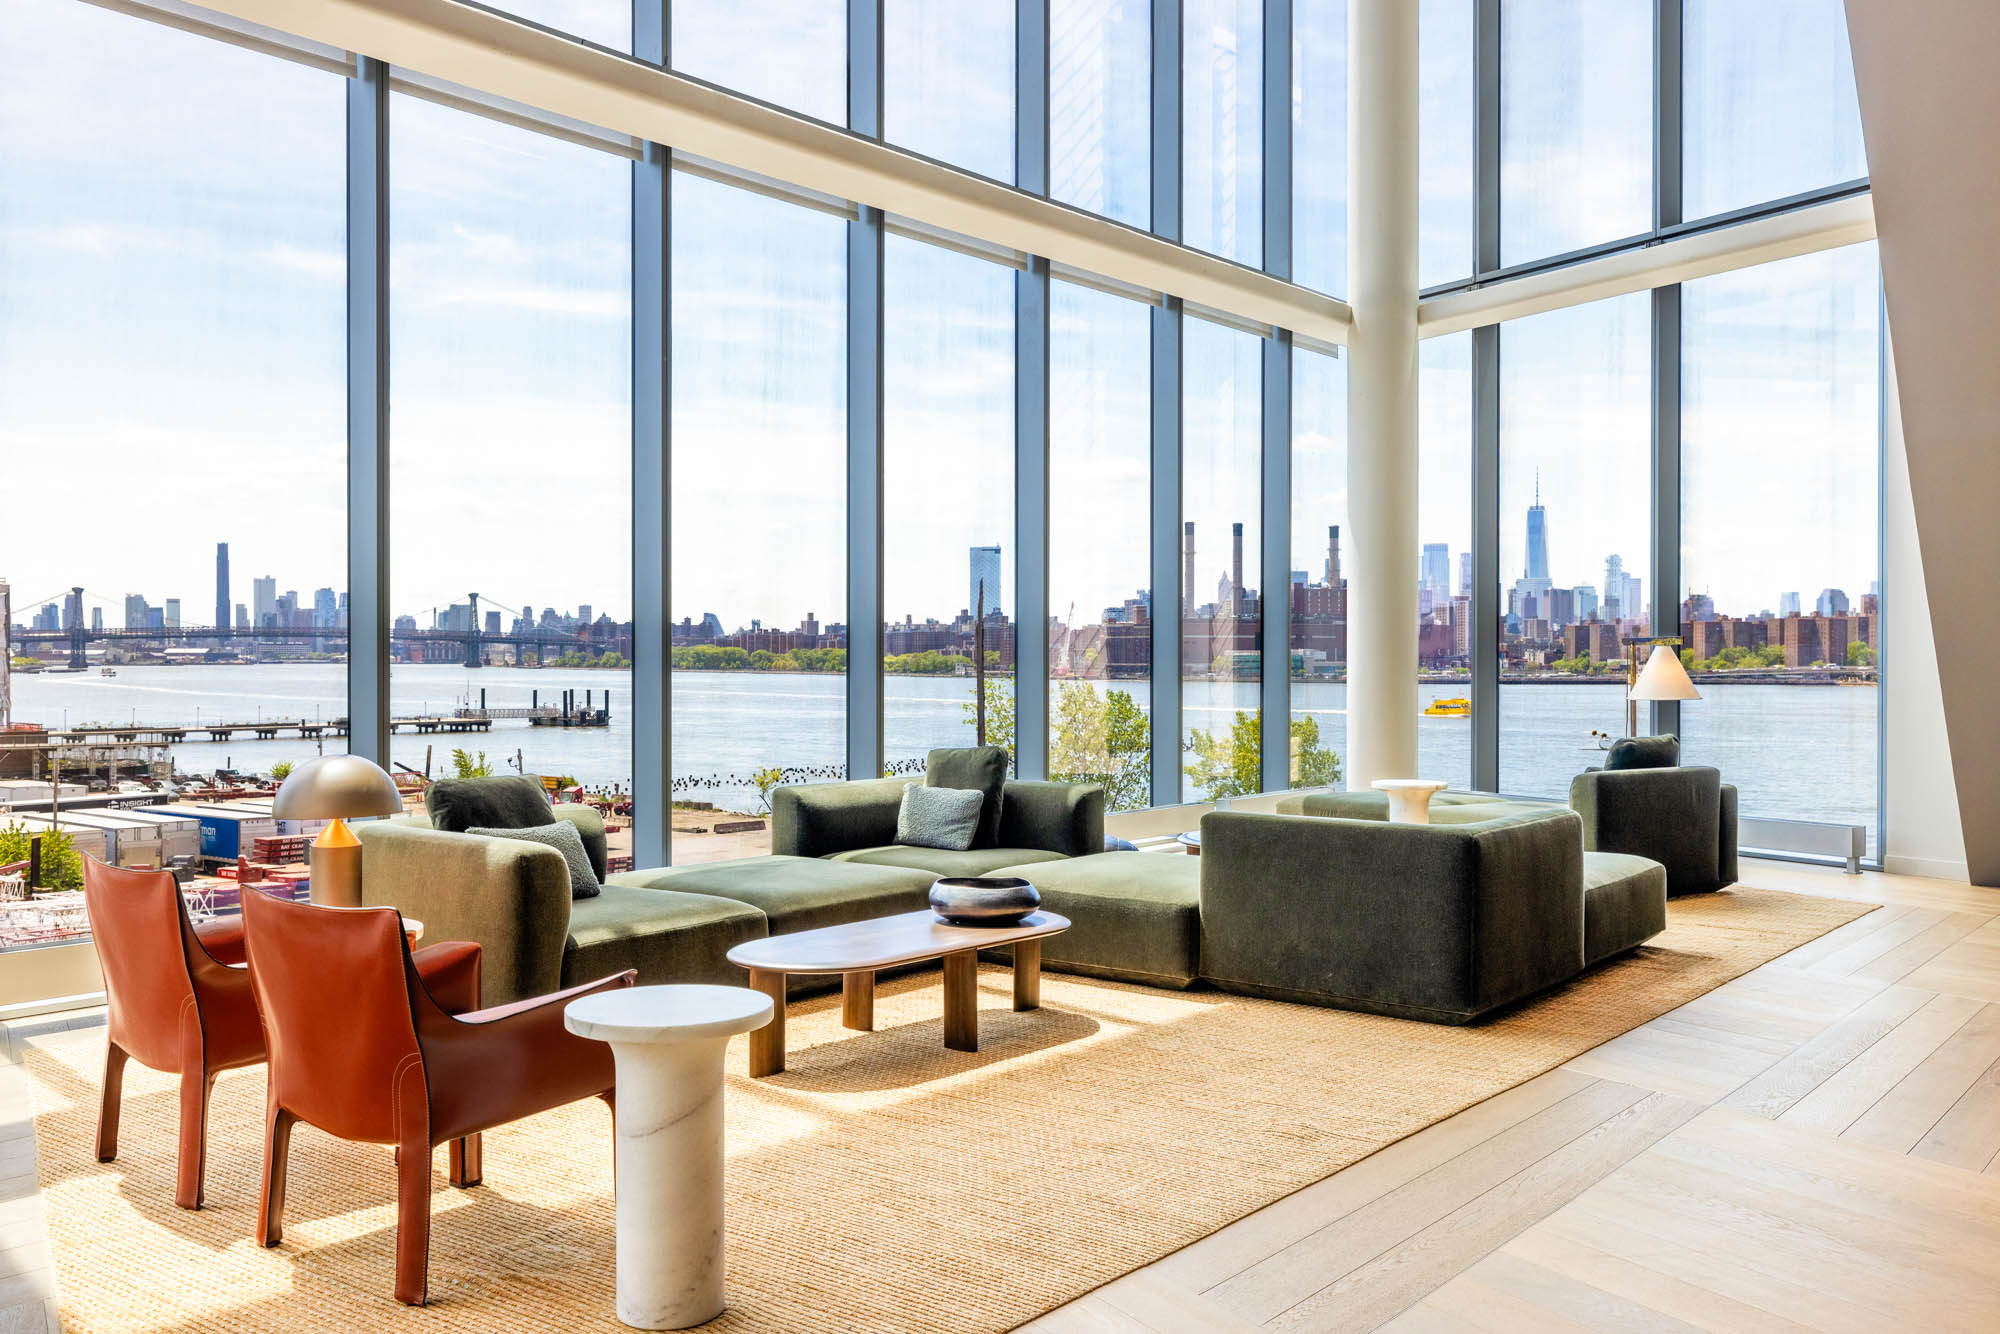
667, 1049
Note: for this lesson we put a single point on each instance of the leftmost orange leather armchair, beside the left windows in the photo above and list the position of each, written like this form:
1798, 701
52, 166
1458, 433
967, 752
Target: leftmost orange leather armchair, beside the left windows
177, 1003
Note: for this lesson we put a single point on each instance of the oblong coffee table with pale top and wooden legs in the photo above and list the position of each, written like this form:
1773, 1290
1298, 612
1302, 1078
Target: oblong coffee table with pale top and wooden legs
859, 949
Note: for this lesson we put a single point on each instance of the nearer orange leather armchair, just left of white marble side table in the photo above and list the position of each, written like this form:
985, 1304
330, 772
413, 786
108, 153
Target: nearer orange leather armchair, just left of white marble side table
389, 1065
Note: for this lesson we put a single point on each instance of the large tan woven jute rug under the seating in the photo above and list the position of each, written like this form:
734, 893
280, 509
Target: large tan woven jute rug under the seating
883, 1183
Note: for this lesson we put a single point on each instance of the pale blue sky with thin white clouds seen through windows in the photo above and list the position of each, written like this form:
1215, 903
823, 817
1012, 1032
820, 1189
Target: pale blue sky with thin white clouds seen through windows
173, 327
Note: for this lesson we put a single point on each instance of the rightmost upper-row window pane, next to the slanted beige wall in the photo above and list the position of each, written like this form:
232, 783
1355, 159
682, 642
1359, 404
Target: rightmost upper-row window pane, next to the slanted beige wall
1785, 69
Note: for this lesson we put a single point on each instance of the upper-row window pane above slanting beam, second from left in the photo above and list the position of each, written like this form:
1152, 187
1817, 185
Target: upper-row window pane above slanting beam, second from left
787, 53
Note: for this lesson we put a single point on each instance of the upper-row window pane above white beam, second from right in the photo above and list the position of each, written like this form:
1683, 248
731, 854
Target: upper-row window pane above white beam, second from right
1575, 125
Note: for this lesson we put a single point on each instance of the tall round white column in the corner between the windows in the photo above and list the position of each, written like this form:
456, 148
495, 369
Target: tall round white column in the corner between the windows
1383, 391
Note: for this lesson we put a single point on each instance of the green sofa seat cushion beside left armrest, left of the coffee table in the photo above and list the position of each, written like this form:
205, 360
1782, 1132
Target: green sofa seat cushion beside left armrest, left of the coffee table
667, 937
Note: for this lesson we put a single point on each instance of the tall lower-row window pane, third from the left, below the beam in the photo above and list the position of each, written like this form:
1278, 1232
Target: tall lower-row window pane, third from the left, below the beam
759, 437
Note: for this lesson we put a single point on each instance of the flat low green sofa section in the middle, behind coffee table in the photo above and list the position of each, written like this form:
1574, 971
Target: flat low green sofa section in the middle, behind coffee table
797, 893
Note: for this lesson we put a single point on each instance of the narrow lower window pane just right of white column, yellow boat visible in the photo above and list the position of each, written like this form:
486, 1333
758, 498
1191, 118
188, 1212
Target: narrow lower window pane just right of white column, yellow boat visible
1445, 557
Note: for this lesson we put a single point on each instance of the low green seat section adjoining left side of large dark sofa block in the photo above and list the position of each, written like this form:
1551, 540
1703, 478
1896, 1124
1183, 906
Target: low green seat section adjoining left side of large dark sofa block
1135, 917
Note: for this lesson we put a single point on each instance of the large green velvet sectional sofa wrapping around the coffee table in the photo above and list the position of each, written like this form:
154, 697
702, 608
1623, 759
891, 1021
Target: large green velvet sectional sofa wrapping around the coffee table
1327, 903
